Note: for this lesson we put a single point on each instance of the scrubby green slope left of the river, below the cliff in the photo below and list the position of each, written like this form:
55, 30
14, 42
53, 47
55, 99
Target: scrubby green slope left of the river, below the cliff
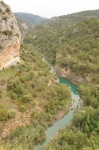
30, 87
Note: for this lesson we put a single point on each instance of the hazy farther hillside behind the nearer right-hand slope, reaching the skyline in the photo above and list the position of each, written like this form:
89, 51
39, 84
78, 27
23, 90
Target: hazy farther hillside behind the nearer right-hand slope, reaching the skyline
51, 33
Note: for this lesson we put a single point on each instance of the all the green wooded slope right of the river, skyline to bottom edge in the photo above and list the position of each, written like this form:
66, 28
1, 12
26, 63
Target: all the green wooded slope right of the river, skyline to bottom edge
74, 46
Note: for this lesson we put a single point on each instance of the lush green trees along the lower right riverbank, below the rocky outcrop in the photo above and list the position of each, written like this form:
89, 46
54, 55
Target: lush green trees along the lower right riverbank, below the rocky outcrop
83, 134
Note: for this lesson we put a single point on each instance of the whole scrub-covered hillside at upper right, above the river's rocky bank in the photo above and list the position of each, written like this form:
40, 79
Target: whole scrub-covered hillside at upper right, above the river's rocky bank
79, 42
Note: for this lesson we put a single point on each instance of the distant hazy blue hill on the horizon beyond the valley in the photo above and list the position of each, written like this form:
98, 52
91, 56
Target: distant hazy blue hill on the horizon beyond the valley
29, 18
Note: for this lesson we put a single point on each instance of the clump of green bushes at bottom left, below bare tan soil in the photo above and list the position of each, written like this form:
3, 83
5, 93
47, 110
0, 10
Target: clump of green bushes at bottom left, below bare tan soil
25, 137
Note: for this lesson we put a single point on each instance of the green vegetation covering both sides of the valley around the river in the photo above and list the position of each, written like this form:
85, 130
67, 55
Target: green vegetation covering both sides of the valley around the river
31, 99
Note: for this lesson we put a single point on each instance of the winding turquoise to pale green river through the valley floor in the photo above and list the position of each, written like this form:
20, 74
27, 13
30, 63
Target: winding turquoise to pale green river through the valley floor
51, 131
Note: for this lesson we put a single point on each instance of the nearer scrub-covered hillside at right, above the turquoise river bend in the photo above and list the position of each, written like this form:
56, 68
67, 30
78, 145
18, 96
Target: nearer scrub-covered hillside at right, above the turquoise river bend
79, 50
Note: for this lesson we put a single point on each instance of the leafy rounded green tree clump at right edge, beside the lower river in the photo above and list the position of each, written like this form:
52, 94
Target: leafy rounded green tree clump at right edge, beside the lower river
87, 120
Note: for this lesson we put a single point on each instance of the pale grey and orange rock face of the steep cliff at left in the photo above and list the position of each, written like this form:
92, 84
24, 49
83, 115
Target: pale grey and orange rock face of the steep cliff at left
10, 37
